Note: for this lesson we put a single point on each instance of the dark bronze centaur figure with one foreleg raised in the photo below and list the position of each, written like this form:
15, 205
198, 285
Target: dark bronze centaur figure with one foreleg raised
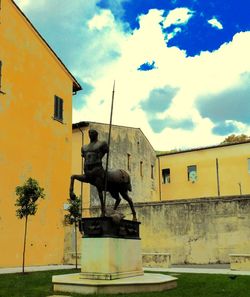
118, 181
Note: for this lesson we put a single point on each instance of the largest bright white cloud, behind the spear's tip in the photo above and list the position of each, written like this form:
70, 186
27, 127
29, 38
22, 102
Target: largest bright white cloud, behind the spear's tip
194, 76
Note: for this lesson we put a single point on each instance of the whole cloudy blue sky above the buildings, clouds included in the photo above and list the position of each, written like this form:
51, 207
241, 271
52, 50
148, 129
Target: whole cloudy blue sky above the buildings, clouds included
182, 68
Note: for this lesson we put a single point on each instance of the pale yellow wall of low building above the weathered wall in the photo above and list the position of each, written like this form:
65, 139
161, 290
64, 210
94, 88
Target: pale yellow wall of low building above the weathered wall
232, 168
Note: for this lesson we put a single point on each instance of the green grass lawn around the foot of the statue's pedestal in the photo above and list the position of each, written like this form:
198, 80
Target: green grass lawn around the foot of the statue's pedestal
38, 284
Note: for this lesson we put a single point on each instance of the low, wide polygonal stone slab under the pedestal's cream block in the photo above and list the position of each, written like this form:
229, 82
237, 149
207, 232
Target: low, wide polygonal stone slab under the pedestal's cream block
149, 282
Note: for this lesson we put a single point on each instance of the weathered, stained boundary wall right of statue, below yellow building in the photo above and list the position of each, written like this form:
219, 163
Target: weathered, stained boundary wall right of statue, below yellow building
196, 231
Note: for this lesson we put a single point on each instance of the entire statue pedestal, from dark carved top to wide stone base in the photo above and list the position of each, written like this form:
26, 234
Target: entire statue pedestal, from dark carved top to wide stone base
111, 261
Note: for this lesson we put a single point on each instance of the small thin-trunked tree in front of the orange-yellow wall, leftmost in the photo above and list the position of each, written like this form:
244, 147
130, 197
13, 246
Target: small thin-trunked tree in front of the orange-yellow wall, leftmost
27, 194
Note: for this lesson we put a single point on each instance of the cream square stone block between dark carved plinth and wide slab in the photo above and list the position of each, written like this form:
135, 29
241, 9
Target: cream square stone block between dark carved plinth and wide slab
110, 258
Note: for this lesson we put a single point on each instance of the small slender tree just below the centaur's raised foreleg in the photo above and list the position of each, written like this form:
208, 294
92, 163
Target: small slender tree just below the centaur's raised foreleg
73, 217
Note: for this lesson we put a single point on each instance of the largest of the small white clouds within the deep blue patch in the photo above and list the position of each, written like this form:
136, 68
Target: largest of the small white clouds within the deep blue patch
178, 16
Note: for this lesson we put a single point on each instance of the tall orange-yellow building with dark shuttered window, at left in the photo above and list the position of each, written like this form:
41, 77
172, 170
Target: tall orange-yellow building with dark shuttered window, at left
35, 139
